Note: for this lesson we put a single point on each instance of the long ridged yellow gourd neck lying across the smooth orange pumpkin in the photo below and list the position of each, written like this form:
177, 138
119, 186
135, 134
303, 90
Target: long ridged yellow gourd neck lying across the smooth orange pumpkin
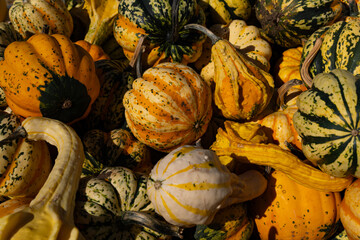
231, 143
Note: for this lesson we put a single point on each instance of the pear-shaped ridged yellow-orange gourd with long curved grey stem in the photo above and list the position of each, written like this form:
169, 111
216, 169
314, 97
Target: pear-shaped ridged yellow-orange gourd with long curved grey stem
242, 89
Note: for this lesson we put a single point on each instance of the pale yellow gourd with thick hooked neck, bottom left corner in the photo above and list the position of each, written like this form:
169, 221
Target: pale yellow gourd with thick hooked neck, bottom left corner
50, 214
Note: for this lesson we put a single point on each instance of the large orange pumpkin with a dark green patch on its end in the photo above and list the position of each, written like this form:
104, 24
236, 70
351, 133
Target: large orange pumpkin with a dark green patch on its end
59, 84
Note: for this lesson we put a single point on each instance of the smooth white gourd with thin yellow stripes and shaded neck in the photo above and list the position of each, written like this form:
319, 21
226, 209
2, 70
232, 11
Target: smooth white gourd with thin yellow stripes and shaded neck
189, 185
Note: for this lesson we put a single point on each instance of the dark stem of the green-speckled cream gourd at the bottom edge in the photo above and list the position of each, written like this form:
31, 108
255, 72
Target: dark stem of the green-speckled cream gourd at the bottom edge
149, 221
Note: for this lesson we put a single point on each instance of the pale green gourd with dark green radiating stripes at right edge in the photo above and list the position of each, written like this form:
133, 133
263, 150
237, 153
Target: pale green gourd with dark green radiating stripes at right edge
327, 120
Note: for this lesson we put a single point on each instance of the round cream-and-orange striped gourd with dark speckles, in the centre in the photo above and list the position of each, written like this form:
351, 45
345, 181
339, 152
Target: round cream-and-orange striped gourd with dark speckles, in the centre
169, 106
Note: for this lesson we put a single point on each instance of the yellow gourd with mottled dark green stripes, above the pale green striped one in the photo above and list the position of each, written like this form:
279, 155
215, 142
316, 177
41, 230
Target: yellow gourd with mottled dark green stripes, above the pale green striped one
339, 48
